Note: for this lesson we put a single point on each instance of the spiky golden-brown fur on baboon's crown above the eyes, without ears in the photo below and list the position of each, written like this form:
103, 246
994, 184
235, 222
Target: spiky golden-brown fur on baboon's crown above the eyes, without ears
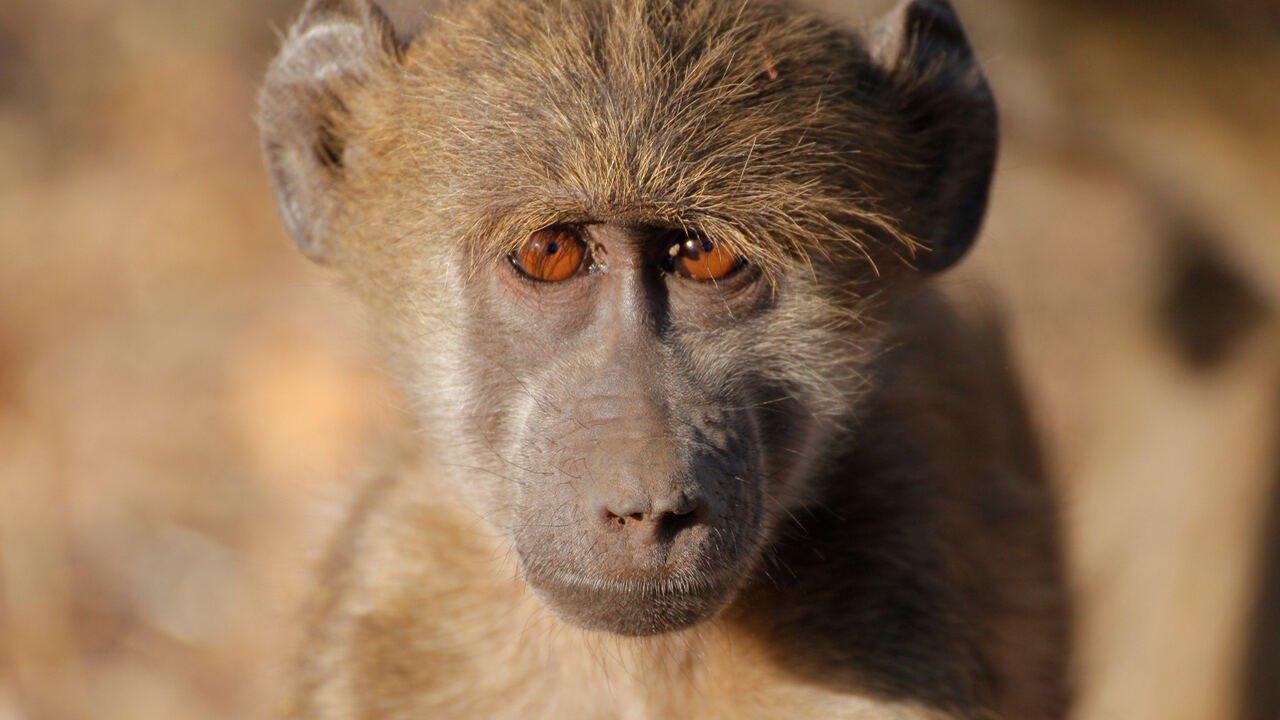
725, 117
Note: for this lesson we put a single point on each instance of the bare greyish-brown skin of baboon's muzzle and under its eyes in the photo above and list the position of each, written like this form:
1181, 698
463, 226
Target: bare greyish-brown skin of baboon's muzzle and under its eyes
639, 468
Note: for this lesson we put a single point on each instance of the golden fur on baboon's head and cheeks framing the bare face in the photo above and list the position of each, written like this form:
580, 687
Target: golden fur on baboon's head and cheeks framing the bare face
511, 117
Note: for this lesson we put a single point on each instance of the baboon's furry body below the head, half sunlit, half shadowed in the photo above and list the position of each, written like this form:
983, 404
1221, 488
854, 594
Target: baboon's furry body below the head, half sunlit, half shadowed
426, 617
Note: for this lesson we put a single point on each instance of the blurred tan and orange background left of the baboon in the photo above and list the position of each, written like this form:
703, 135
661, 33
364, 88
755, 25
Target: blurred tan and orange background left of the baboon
179, 394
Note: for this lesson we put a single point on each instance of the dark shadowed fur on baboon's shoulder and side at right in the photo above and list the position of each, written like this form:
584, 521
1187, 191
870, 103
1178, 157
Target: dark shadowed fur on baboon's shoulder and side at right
903, 580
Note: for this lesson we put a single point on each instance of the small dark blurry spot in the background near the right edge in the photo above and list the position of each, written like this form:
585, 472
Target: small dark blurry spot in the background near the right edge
1208, 308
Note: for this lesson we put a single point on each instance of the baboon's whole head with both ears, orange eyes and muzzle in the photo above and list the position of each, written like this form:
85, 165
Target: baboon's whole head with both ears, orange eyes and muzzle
633, 256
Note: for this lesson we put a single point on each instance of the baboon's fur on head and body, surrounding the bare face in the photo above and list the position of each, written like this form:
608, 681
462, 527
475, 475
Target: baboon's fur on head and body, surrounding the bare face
765, 129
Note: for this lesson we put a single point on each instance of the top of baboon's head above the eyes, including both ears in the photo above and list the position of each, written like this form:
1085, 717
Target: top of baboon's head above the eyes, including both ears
764, 126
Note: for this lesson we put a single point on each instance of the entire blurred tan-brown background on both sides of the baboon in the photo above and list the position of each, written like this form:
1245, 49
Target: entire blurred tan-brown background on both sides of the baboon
185, 403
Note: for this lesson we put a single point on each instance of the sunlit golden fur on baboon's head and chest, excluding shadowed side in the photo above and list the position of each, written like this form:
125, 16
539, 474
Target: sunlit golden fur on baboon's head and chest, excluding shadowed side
752, 122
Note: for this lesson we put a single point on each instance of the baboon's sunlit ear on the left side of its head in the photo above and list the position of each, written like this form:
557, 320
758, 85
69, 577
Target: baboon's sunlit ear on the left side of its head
333, 48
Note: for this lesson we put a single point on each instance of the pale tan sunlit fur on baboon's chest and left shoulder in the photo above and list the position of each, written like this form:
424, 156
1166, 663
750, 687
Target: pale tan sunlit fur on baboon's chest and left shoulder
488, 649
